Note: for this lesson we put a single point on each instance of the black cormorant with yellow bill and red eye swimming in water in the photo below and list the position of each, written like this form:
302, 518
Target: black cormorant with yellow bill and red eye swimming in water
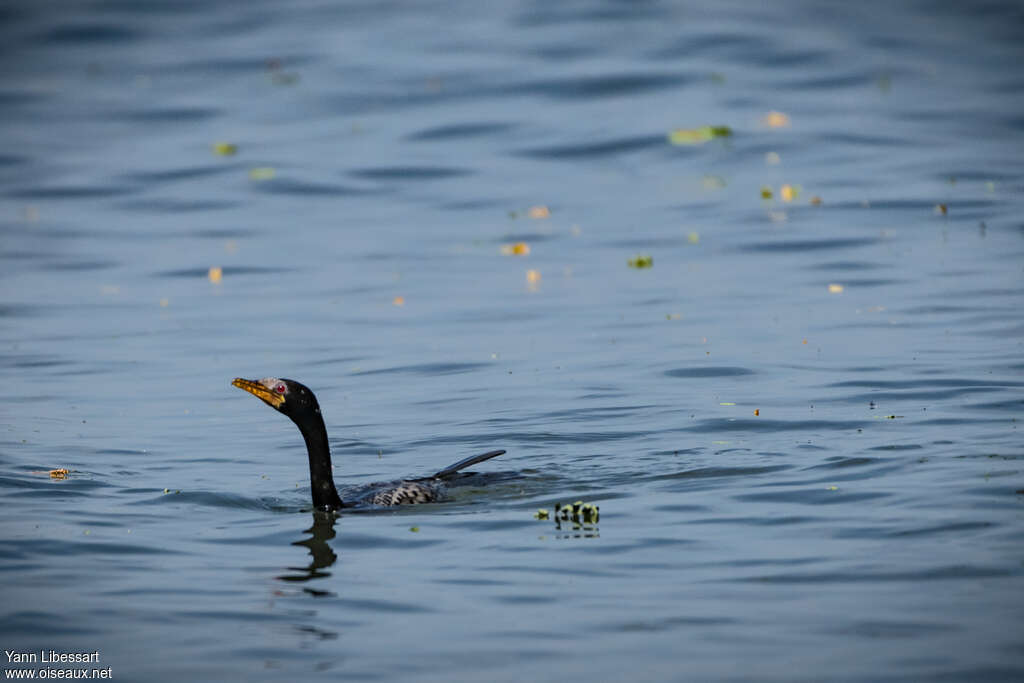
300, 404
